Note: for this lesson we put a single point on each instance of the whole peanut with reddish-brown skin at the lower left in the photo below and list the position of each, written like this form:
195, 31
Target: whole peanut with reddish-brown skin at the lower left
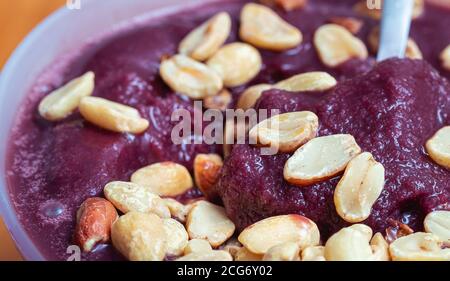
94, 220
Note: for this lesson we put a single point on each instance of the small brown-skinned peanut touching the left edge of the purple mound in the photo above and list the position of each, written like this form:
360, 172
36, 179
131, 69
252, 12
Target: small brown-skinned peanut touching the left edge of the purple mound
206, 172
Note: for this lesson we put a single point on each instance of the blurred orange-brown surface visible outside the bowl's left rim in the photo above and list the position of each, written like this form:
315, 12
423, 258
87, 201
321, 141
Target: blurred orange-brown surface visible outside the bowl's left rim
17, 19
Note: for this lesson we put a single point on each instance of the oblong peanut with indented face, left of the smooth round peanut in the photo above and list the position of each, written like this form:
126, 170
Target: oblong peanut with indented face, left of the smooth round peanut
189, 77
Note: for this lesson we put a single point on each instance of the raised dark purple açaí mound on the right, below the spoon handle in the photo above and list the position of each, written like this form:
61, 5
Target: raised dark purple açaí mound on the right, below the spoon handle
391, 111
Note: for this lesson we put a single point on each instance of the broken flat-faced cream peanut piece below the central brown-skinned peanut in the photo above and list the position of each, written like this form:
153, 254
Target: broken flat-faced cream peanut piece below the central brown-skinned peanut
209, 221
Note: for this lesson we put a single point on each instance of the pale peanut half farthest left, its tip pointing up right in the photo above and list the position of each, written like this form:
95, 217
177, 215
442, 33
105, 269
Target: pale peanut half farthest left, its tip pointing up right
63, 101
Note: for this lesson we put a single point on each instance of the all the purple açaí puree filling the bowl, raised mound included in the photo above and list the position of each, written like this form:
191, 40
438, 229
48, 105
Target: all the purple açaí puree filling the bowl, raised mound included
54, 167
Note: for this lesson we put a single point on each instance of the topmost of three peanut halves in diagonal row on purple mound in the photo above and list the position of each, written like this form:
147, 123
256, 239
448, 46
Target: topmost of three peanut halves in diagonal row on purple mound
286, 131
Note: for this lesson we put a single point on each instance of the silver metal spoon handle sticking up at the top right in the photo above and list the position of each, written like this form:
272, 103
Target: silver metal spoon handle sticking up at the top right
395, 25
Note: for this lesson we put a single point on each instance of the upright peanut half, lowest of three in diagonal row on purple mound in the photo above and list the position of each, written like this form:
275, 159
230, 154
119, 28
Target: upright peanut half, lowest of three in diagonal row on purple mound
359, 188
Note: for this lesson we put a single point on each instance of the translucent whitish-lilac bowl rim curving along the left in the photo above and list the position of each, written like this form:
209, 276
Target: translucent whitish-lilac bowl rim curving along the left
61, 33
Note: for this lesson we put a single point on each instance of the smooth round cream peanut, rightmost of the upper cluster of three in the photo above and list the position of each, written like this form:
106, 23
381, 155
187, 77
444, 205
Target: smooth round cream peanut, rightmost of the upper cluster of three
236, 63
